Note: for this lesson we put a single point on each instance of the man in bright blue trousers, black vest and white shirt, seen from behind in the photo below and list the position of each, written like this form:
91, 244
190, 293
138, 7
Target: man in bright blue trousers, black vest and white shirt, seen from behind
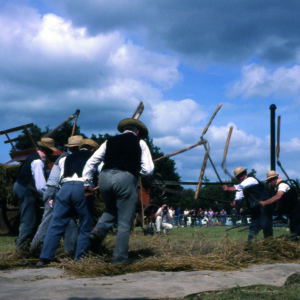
71, 198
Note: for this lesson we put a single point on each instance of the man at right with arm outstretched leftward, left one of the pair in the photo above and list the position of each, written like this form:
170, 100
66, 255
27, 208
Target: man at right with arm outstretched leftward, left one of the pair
254, 192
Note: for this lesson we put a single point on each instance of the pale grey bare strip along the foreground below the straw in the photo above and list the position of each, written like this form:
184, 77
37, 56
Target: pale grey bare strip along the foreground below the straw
52, 283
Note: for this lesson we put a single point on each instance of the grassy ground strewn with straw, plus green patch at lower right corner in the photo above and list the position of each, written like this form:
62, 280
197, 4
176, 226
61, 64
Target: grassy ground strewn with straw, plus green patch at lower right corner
183, 249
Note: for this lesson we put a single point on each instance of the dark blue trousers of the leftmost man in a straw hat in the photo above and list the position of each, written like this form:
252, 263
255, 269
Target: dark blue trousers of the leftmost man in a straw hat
30, 214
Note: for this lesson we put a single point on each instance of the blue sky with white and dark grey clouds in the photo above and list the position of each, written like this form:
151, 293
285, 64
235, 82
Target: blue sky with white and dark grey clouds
182, 58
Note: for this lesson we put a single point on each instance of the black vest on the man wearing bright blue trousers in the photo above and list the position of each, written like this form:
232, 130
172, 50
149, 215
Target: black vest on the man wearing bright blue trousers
75, 163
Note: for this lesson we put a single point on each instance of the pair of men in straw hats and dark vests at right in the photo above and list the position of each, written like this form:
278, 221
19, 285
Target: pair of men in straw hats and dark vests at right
262, 207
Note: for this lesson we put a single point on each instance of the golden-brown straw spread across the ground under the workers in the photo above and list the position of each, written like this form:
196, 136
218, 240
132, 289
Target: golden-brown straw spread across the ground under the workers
161, 253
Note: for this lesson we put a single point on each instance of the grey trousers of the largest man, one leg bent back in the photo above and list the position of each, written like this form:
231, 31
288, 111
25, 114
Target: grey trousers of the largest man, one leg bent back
119, 190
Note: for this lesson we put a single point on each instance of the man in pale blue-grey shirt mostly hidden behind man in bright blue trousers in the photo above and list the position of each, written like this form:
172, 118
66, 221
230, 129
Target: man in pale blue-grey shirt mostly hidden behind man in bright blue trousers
53, 185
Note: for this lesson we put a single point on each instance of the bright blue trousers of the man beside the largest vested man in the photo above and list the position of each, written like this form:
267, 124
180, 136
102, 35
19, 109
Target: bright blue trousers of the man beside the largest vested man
70, 199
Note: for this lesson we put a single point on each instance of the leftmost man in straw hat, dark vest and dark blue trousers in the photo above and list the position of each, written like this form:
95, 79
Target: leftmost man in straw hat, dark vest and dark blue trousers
31, 183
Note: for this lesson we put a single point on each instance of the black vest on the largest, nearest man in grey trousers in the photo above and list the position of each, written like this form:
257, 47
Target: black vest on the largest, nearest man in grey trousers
123, 152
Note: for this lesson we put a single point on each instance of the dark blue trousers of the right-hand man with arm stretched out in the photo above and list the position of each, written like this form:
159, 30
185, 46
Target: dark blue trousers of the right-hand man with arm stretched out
261, 218
